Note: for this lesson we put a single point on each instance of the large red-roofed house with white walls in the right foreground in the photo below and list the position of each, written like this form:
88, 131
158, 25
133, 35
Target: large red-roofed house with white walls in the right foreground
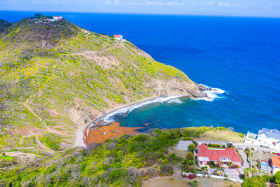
222, 156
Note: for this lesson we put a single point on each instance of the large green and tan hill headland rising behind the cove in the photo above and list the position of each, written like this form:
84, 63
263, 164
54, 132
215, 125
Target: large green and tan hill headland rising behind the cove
55, 76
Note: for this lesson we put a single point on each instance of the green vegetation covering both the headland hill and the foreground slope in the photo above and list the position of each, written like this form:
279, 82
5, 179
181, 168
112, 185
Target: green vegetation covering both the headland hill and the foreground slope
54, 77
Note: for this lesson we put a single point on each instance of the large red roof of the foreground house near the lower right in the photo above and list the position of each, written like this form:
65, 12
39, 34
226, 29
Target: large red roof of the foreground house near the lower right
216, 155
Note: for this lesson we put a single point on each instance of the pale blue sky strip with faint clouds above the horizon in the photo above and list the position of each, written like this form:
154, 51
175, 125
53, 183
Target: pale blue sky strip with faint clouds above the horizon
259, 8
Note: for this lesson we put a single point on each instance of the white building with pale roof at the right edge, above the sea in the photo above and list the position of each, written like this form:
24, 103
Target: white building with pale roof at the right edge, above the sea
266, 137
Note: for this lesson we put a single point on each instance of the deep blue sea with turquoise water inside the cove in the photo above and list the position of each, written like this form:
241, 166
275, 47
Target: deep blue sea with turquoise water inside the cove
238, 55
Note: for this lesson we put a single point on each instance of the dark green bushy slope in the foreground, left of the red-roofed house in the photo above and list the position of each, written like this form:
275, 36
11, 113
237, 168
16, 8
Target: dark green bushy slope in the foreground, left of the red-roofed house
119, 162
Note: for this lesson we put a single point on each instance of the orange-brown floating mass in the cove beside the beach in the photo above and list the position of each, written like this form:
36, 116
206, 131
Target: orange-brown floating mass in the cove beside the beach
102, 133
